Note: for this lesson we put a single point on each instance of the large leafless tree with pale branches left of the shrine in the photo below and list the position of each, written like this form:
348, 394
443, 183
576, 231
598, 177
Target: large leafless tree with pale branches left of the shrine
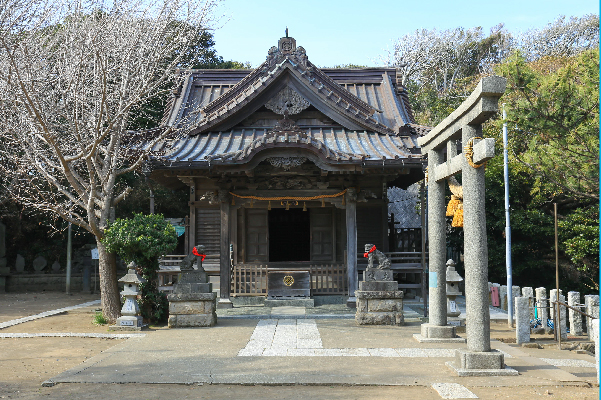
71, 74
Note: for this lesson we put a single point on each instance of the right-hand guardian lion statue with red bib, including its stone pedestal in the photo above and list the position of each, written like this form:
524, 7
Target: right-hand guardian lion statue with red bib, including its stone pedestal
379, 302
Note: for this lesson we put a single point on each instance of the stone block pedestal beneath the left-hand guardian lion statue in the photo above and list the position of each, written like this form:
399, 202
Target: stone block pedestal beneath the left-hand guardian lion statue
192, 309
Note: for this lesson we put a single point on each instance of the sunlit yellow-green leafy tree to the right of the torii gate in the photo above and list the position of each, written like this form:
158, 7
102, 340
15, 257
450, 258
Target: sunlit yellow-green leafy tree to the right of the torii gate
553, 117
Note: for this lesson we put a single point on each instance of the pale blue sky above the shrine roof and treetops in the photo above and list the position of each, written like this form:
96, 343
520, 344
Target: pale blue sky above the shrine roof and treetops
359, 32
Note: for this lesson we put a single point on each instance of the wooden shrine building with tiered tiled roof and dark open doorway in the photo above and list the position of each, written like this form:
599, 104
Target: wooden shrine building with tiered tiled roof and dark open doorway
288, 167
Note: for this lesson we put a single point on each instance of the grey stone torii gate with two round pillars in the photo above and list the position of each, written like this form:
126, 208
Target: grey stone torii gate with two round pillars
465, 125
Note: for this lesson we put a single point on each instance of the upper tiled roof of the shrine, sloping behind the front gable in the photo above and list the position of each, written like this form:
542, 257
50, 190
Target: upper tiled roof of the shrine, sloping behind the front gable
370, 97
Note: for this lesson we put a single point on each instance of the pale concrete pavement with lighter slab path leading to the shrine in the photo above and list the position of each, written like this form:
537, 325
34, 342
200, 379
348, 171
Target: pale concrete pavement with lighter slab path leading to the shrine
291, 347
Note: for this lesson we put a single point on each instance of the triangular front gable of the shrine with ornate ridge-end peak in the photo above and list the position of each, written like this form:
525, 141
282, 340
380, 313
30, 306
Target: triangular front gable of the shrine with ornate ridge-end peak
287, 70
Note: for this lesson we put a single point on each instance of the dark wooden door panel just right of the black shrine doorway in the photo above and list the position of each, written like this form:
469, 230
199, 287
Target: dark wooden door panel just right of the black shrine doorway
322, 234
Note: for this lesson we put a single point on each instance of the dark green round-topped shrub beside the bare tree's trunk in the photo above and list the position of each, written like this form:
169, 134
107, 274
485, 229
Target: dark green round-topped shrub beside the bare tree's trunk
143, 239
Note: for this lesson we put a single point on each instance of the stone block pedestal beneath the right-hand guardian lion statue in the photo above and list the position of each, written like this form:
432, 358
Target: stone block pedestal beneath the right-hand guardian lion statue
379, 303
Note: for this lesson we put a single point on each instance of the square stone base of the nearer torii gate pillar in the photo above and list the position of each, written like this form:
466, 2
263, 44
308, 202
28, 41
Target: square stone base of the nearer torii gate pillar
480, 363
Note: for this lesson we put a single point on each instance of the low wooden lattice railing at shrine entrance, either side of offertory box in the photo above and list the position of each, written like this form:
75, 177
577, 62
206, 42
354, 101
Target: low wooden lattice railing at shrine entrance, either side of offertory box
251, 279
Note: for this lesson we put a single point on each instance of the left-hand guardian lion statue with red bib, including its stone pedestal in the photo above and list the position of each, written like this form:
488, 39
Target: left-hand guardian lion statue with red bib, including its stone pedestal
193, 302
